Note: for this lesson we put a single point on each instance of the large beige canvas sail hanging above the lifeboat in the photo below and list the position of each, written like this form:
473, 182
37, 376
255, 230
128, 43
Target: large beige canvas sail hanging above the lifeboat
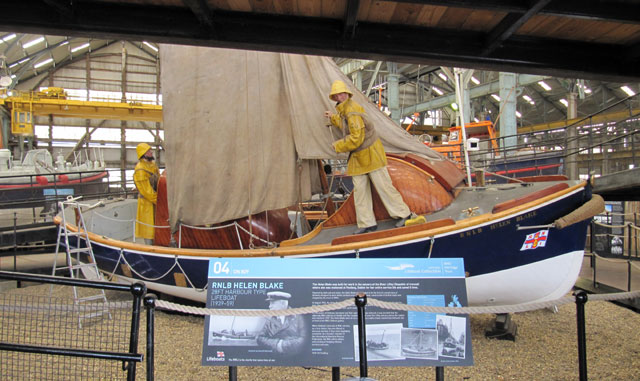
242, 129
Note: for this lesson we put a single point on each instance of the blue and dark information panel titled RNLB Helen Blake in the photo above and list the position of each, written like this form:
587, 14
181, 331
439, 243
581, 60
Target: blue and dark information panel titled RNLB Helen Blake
394, 338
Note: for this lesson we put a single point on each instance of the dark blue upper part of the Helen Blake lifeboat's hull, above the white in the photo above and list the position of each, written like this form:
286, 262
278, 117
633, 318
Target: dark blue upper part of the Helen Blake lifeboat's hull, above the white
492, 247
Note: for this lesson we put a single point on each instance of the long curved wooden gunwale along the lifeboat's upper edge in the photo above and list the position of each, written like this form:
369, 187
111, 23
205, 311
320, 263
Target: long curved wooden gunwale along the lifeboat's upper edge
324, 248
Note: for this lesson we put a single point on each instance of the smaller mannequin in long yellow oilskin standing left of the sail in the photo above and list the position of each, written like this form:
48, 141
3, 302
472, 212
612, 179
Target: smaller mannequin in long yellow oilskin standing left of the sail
145, 176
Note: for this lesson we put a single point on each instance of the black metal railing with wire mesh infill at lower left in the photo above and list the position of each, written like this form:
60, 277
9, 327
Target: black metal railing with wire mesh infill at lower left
34, 328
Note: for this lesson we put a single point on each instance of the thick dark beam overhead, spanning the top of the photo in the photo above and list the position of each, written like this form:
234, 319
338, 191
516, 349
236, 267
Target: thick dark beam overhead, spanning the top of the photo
323, 36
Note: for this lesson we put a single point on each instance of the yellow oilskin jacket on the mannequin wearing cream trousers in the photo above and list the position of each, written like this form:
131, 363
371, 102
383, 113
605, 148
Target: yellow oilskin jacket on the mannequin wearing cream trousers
366, 156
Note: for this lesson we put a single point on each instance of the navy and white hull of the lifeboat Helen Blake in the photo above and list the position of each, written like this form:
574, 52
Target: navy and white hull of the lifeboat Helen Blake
500, 271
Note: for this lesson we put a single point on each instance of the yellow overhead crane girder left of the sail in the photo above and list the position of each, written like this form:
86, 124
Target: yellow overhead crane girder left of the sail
53, 101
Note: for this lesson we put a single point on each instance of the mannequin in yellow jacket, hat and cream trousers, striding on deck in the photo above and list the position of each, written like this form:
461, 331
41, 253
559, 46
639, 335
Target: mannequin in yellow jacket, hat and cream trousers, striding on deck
367, 161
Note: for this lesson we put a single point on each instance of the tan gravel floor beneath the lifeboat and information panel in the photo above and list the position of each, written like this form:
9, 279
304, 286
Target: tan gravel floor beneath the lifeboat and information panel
545, 349
